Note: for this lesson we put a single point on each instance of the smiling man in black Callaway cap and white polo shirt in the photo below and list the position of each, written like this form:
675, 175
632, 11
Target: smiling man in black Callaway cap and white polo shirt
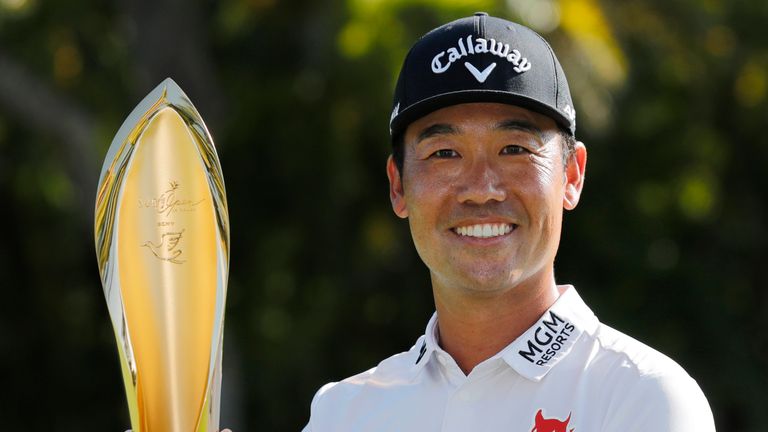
484, 162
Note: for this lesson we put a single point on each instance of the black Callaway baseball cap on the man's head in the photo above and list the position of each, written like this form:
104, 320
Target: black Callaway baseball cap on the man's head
481, 59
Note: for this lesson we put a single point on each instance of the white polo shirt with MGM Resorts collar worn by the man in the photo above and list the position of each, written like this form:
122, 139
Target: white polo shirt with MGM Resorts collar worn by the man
567, 373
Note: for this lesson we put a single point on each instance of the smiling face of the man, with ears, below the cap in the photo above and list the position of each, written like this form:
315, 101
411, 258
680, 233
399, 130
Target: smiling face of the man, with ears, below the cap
484, 187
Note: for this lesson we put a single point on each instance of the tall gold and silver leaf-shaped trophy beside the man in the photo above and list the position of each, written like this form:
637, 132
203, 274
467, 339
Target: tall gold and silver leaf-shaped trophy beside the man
162, 242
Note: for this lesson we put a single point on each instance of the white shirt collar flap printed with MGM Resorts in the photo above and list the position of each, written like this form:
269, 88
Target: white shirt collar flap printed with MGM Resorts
552, 337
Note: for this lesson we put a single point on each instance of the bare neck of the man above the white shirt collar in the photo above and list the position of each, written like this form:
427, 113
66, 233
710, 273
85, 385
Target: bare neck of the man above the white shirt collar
475, 328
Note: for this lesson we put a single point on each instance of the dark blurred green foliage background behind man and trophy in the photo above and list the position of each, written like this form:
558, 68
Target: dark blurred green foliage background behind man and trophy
668, 243
